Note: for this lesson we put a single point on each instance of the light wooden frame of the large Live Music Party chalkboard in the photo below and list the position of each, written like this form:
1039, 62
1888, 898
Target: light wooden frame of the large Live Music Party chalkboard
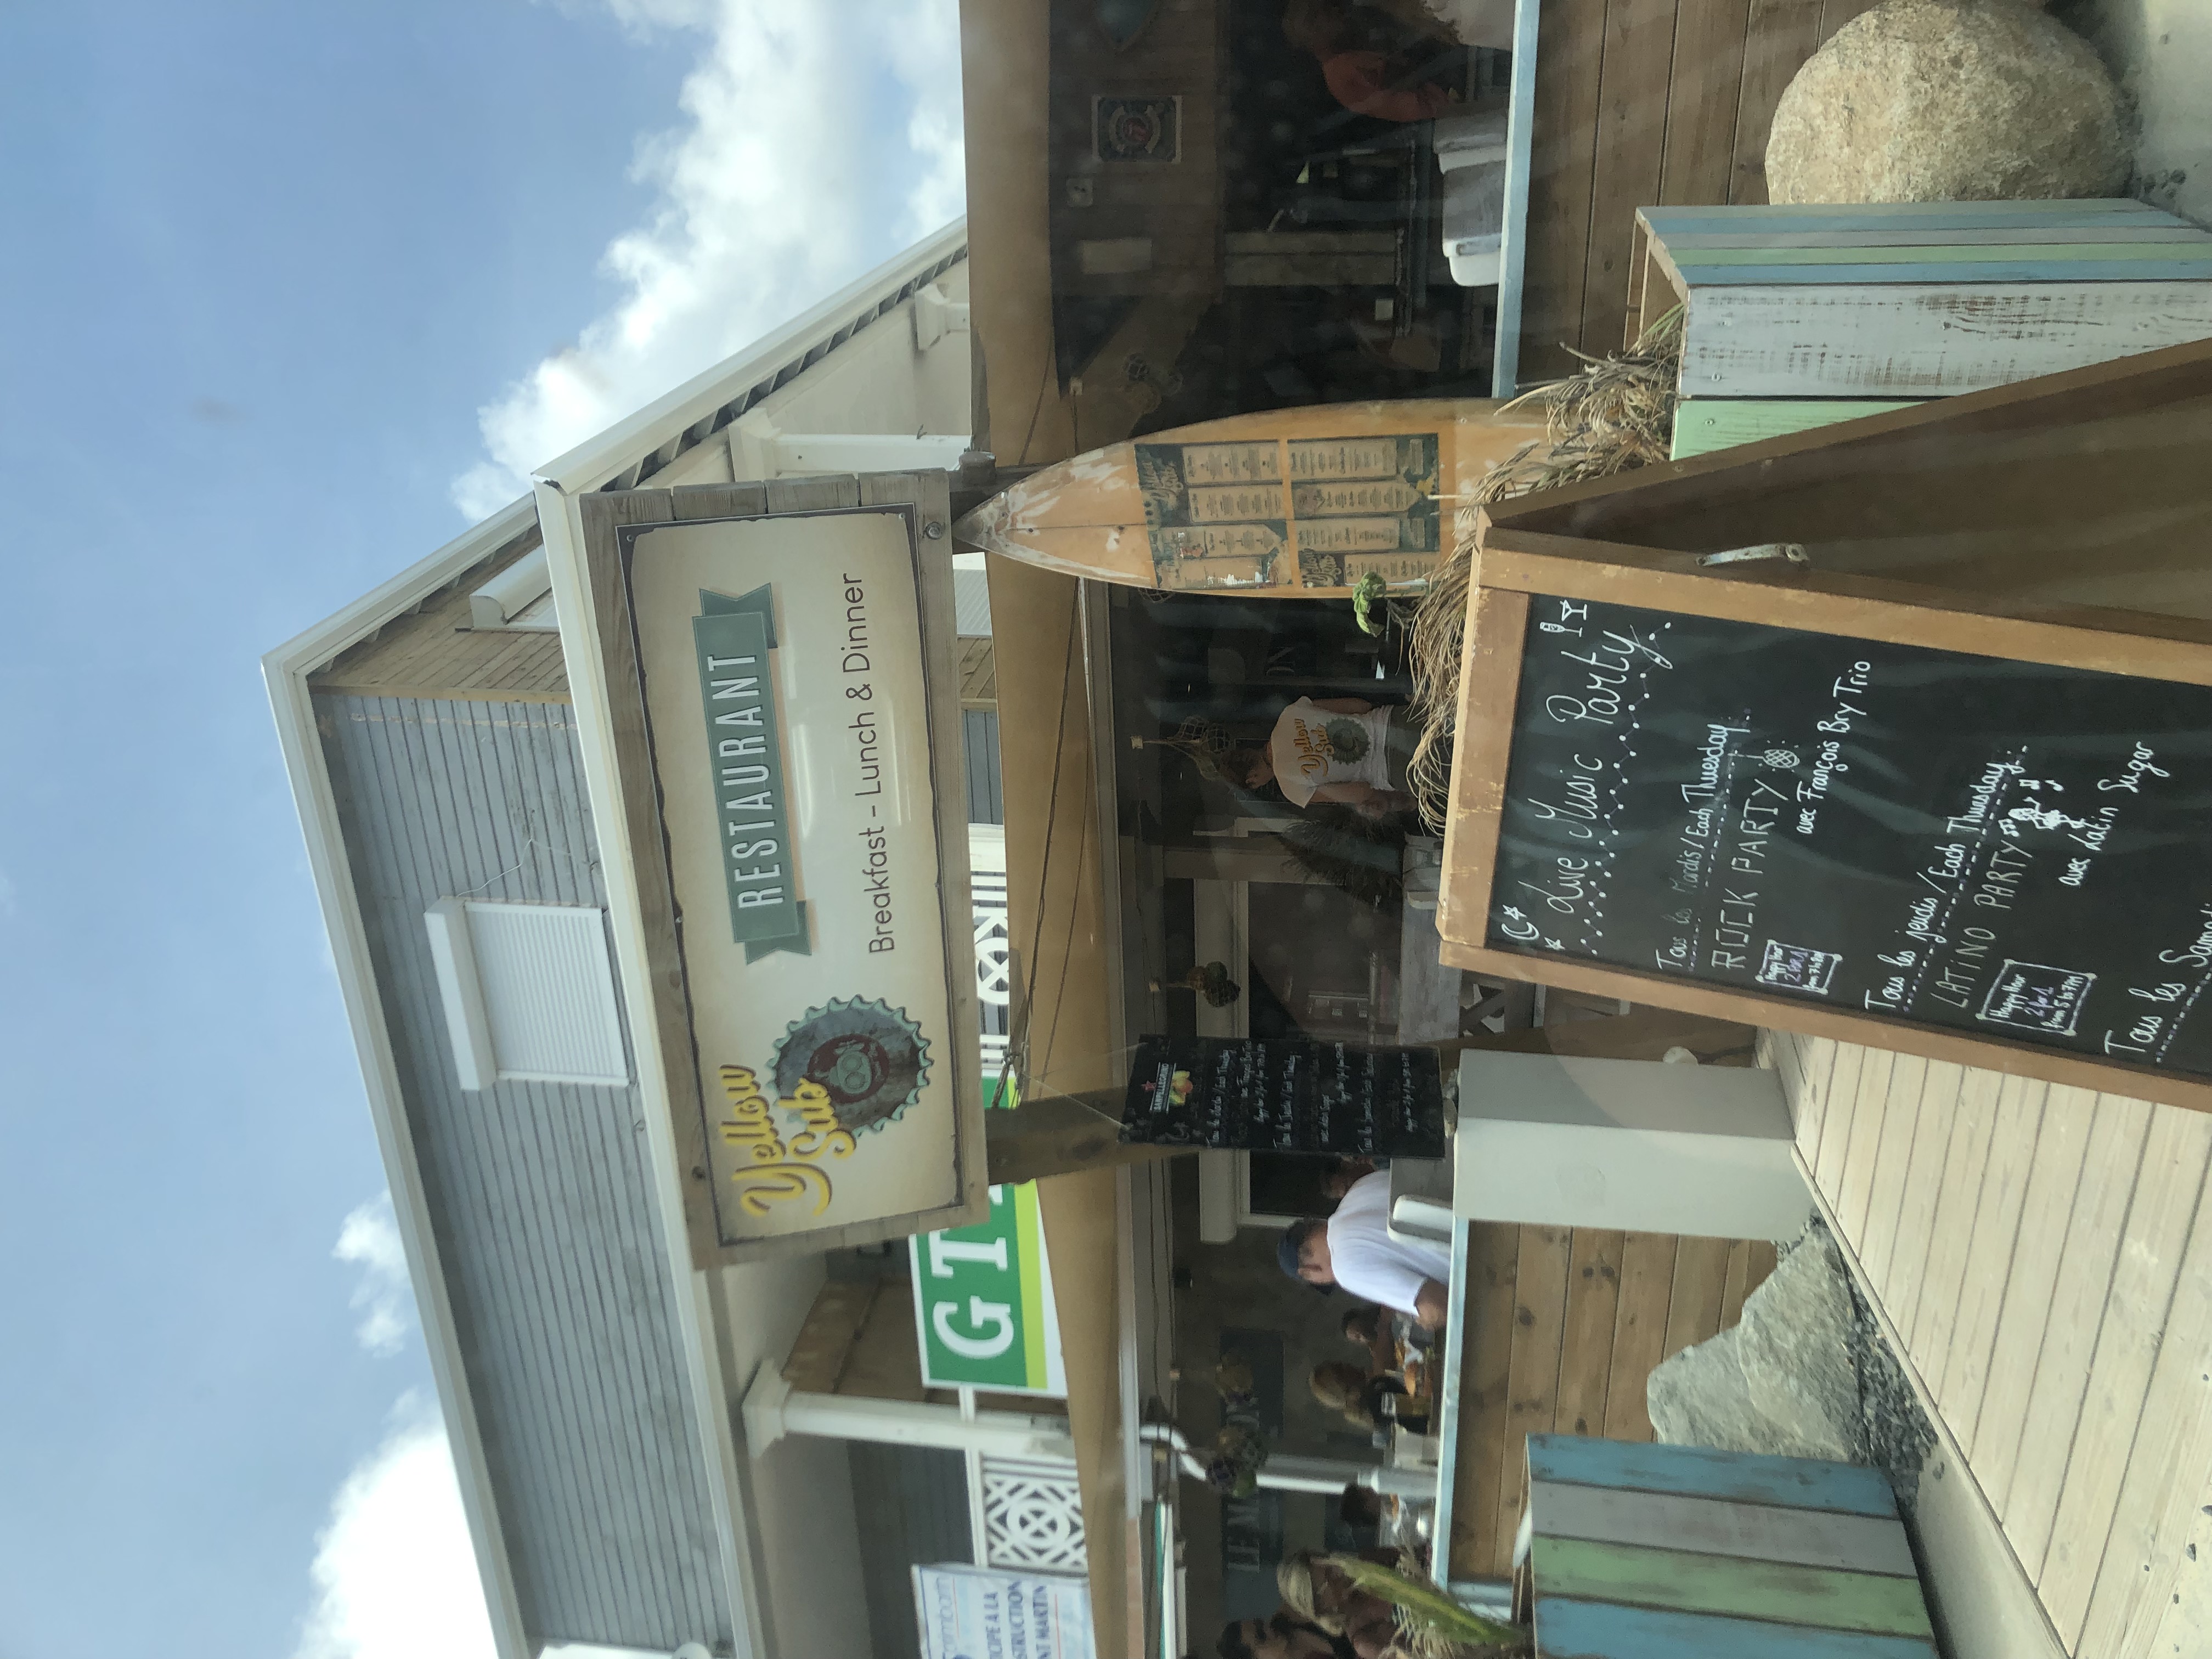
1519, 565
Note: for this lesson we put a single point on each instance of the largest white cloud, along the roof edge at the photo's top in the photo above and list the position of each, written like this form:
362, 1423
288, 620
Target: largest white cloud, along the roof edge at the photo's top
820, 140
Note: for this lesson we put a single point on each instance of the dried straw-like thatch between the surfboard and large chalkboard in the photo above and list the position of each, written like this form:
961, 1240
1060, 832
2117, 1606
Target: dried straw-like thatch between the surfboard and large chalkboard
1609, 417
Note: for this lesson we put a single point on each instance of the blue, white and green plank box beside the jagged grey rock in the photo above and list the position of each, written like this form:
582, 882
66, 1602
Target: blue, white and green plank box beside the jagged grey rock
1647, 1552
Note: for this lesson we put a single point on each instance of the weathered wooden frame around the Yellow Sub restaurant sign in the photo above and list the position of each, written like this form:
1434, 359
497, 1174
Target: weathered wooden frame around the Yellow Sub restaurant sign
926, 505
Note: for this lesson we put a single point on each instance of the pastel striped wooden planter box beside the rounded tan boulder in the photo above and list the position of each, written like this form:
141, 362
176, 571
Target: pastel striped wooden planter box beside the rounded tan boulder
1806, 315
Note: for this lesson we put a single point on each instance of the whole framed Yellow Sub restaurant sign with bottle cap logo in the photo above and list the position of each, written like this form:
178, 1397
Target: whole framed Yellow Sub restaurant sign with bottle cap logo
791, 824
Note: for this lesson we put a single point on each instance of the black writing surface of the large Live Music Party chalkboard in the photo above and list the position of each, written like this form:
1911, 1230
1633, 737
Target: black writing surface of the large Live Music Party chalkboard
2005, 848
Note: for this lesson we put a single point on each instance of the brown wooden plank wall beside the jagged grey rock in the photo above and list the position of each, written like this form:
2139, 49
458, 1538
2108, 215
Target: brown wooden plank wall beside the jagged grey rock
1563, 1326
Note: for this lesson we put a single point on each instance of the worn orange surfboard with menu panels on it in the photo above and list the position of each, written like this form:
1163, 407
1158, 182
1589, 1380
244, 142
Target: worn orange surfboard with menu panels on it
1293, 503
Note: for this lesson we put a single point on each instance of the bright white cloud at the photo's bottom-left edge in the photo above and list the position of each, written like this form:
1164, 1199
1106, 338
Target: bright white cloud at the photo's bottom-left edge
395, 1574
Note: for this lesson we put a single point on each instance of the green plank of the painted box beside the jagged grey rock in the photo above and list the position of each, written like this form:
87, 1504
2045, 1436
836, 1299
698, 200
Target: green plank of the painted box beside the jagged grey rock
1682, 1583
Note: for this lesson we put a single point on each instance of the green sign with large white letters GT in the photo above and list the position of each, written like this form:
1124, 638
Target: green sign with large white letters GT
983, 1300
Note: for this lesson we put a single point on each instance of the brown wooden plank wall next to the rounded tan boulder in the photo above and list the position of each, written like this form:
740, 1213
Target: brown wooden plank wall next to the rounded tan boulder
1645, 103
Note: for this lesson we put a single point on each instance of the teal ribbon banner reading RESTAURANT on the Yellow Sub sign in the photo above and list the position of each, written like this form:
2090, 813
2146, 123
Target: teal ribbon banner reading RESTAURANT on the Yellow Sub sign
747, 755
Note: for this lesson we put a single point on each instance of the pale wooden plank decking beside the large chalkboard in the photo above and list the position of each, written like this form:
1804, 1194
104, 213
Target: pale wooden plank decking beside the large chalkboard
2045, 1258
